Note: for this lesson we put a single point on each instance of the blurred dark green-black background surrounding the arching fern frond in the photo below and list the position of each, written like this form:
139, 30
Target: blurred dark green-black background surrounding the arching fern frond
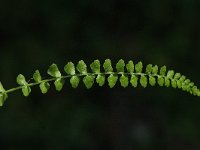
34, 34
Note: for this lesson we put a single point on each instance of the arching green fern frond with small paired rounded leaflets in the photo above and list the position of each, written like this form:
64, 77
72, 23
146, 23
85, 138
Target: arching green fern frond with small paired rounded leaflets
130, 73
